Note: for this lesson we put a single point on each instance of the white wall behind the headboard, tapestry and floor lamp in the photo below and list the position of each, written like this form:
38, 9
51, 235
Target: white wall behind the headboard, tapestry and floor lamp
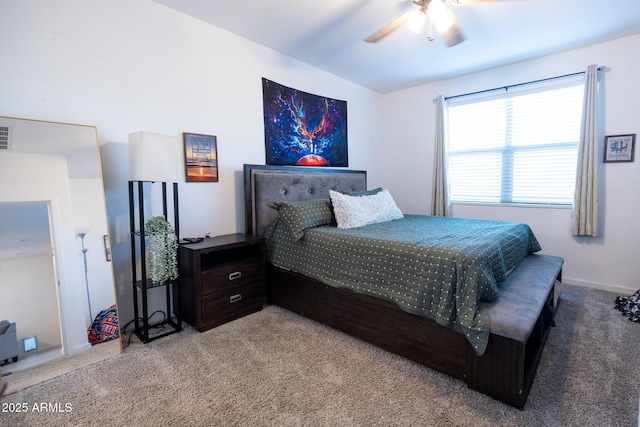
135, 65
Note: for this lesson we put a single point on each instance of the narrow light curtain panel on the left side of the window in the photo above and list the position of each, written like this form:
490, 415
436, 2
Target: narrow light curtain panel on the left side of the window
440, 200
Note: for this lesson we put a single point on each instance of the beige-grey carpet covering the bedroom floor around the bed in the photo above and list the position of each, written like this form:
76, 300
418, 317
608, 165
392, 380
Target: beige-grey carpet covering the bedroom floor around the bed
276, 368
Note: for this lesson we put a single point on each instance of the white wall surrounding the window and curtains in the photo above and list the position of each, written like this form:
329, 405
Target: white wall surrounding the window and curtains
611, 261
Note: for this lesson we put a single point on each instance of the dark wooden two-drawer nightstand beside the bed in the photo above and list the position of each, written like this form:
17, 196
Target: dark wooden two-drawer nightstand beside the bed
221, 279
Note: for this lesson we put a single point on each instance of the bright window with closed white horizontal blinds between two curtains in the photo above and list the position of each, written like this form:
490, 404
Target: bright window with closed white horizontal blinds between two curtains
518, 146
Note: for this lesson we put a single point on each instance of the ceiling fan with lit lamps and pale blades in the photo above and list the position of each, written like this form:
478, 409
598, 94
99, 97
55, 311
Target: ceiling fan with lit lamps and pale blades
439, 15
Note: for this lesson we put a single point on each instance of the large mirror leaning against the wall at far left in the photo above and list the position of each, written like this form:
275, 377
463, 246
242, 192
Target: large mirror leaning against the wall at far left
56, 273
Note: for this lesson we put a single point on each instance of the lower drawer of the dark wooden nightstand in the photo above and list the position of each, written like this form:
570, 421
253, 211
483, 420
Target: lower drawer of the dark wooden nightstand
233, 303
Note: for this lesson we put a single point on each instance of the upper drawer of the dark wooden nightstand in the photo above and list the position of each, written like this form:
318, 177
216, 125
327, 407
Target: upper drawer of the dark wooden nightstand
232, 276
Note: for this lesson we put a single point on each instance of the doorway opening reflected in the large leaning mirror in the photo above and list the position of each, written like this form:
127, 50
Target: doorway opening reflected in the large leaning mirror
28, 285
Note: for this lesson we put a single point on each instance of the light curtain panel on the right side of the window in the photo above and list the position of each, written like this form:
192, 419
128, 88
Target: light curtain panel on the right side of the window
585, 221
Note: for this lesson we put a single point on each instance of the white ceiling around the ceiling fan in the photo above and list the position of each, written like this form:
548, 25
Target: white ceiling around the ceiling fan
328, 34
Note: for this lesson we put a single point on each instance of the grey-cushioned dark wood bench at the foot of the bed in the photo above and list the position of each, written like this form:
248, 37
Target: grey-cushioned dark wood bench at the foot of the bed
521, 318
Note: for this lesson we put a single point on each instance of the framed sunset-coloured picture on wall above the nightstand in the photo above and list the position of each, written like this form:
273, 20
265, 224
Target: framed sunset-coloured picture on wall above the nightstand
200, 157
